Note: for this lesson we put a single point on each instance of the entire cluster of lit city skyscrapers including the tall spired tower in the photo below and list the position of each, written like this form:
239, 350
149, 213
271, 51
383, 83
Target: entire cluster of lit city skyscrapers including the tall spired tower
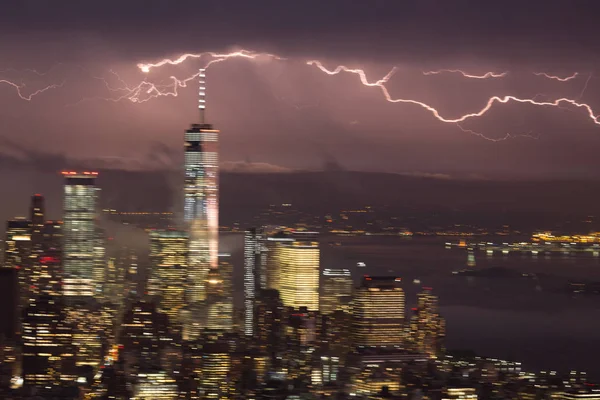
85, 322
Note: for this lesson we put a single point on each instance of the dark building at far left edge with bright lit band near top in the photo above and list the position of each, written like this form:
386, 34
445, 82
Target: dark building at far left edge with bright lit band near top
17, 255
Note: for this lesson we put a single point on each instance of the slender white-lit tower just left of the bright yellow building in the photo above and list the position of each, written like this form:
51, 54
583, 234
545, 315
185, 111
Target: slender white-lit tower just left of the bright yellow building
254, 276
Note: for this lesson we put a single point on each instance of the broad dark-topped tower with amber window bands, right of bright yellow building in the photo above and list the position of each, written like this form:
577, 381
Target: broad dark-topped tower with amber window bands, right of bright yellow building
378, 312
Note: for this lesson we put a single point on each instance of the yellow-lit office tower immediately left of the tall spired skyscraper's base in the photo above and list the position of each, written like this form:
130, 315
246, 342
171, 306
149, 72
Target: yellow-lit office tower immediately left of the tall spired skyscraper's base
168, 263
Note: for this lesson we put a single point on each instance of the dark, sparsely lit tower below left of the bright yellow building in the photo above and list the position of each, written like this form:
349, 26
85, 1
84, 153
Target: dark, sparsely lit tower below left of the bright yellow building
269, 314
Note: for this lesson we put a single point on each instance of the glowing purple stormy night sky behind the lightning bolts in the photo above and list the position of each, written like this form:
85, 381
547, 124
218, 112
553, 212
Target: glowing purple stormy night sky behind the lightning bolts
282, 115
